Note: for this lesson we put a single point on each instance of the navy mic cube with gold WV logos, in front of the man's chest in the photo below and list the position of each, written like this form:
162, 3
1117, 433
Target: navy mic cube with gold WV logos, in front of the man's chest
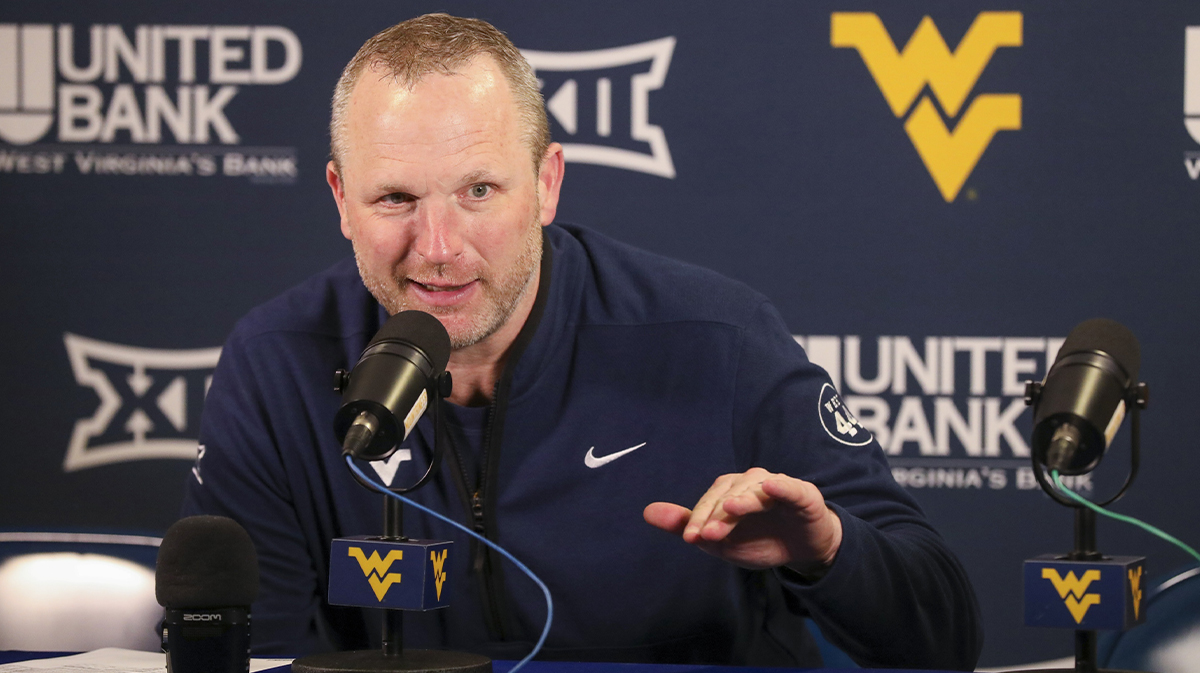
373, 573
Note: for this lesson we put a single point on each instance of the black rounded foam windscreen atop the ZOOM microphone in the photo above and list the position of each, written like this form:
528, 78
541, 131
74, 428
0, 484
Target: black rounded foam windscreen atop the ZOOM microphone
207, 562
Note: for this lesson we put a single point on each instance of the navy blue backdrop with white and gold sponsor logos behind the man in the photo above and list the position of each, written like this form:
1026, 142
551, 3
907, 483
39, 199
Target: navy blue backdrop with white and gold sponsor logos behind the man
933, 194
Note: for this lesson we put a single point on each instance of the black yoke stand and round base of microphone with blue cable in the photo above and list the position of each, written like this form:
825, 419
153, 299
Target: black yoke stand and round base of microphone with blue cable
393, 657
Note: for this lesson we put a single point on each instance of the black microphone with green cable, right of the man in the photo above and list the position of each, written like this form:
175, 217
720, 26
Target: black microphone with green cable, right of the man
1082, 404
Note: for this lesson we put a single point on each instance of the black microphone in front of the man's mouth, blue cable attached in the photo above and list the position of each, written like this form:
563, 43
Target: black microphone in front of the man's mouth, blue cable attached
387, 392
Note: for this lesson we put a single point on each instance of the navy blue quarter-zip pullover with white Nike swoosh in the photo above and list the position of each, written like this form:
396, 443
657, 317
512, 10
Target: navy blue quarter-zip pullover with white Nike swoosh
623, 348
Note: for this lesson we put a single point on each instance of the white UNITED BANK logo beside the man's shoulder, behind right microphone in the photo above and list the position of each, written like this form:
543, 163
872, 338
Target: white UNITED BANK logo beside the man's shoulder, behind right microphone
949, 412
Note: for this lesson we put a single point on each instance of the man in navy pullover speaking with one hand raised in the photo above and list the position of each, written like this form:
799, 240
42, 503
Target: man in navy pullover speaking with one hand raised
595, 386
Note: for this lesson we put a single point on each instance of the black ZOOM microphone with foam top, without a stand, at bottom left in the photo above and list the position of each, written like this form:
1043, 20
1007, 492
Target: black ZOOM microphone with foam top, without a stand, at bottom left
207, 578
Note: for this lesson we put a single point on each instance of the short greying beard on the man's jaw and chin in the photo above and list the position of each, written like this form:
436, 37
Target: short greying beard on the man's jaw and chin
501, 298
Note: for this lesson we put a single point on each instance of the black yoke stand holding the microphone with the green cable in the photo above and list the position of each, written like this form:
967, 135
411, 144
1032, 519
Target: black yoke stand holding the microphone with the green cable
1085, 522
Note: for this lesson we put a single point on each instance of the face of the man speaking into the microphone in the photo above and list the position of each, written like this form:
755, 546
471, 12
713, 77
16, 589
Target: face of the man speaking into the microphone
441, 200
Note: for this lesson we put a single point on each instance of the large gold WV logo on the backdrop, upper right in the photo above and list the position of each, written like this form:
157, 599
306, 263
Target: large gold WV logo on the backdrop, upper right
927, 63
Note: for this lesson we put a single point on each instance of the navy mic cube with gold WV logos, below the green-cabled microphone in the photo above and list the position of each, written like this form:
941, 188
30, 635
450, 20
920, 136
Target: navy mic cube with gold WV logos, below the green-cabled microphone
1095, 596
